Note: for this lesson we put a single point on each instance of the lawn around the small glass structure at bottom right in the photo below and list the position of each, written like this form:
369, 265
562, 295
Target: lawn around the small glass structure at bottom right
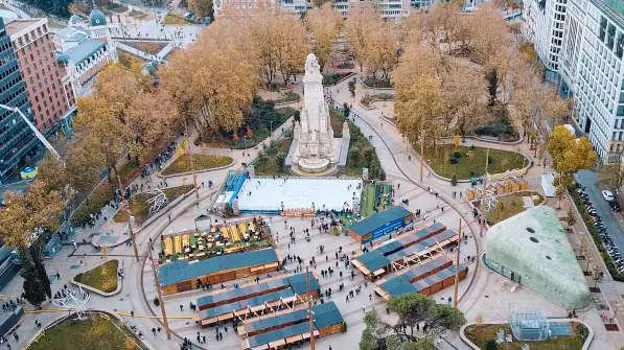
489, 332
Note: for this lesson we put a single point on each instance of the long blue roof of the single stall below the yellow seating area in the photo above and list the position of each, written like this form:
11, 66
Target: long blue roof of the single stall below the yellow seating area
180, 271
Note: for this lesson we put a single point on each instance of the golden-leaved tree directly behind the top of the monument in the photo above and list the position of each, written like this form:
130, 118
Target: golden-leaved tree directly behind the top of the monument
325, 24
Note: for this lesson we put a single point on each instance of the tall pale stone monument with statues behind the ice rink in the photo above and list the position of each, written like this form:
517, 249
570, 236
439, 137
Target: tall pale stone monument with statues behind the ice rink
314, 148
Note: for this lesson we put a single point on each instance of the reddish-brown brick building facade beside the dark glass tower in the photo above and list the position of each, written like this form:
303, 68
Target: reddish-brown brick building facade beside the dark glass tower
49, 91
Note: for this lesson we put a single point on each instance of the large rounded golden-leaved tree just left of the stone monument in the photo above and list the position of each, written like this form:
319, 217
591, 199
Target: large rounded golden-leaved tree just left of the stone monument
212, 84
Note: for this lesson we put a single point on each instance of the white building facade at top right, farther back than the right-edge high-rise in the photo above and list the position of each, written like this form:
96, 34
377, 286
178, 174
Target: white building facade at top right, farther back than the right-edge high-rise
544, 26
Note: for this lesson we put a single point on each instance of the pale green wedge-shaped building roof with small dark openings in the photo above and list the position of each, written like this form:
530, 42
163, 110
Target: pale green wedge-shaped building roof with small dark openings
535, 247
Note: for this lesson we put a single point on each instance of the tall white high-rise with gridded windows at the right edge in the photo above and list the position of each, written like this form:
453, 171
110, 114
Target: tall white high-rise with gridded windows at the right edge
593, 72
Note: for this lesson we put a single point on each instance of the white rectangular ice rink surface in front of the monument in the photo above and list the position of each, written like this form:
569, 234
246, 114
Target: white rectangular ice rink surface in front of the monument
299, 193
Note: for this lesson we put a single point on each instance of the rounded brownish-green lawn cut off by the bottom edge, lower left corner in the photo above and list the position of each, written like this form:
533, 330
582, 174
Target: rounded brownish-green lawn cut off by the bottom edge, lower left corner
96, 332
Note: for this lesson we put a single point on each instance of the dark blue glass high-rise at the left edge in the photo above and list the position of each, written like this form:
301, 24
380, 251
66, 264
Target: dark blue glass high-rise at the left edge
17, 141
